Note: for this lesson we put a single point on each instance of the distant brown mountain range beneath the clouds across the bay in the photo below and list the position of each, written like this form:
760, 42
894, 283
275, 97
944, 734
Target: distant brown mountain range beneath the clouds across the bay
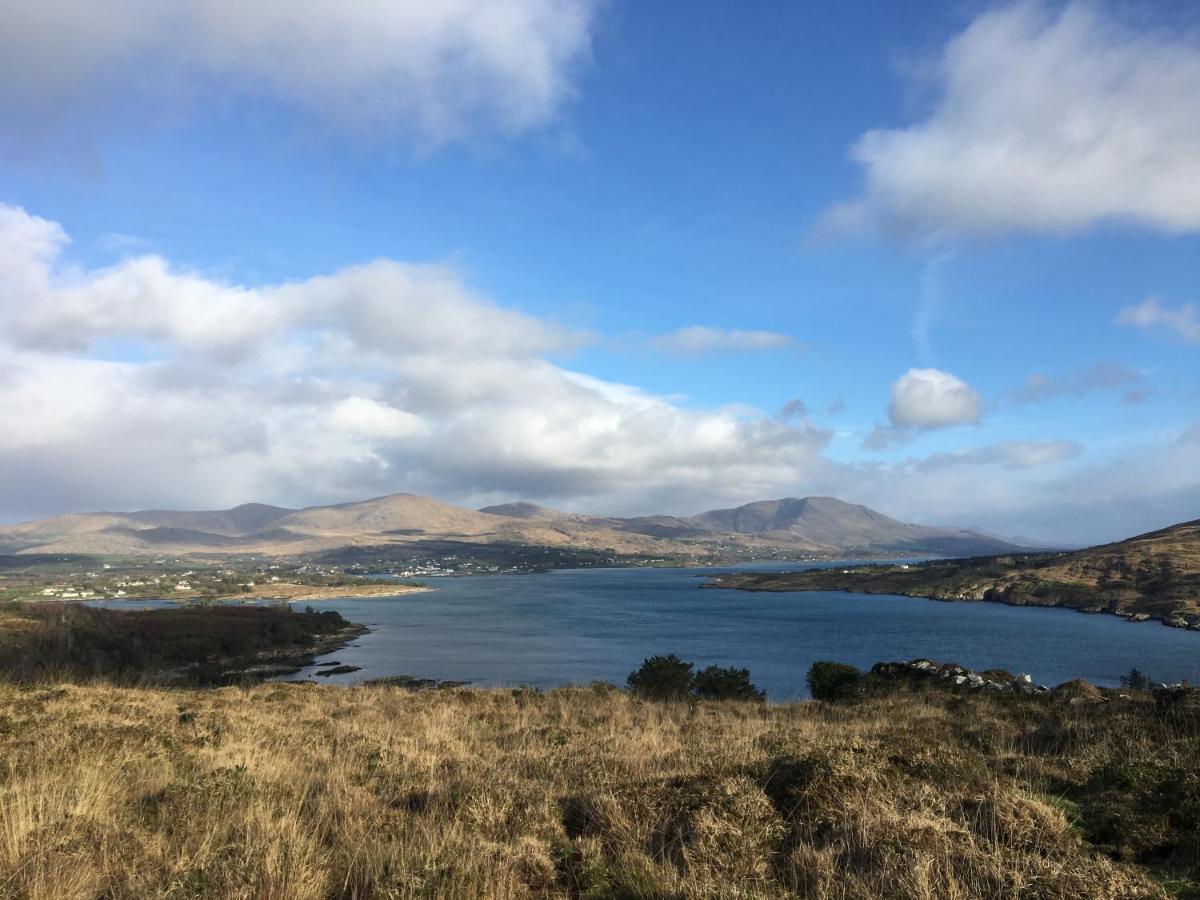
818, 526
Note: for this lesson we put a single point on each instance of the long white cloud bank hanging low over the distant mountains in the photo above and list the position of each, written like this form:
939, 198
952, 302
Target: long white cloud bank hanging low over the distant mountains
375, 379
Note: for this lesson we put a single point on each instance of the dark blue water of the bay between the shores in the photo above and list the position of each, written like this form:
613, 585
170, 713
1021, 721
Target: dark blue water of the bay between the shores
579, 626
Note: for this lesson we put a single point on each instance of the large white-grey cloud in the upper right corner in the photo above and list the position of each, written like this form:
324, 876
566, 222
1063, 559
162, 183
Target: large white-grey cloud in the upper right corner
1046, 119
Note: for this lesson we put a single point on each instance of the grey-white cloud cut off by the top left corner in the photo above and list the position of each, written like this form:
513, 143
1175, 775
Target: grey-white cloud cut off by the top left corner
437, 70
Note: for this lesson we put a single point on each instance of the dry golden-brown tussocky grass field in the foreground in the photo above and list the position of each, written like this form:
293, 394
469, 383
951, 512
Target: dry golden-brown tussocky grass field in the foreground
296, 791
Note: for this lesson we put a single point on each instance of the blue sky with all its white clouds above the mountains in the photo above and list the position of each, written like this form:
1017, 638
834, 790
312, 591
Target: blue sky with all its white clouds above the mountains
613, 257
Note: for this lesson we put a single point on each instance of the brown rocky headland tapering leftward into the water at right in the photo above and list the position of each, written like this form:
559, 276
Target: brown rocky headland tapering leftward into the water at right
1156, 575
